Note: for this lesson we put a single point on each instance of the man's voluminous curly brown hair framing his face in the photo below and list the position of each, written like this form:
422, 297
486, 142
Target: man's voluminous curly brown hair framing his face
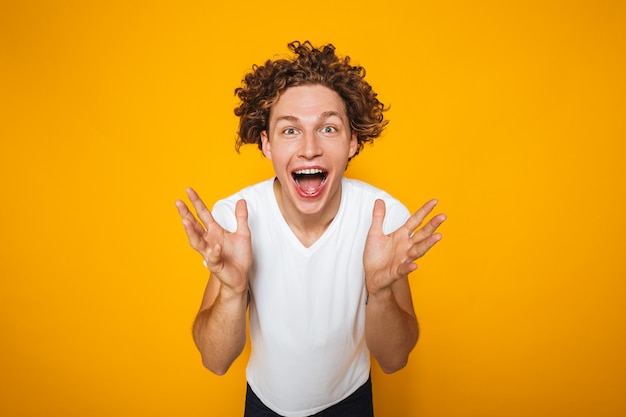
263, 86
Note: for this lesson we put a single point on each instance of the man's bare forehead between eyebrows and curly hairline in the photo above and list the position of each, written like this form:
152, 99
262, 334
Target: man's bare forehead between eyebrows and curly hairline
308, 102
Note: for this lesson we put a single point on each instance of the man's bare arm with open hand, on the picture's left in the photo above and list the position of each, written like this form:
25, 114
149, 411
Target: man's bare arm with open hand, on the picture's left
219, 329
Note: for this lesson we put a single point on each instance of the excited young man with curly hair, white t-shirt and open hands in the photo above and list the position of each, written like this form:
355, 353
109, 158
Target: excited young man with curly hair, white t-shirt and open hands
321, 261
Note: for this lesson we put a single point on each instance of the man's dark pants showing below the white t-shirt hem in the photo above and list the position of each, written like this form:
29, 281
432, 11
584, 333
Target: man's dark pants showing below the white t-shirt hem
358, 404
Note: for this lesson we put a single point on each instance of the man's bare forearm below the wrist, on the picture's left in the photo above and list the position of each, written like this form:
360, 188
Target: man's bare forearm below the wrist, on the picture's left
220, 332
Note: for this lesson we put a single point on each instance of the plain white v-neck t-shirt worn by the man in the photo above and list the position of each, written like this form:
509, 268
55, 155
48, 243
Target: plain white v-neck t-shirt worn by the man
307, 305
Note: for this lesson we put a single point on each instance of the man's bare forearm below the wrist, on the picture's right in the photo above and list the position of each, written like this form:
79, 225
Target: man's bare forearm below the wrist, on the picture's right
390, 332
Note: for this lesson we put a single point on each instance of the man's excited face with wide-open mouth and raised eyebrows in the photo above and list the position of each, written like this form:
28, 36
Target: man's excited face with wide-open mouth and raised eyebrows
309, 142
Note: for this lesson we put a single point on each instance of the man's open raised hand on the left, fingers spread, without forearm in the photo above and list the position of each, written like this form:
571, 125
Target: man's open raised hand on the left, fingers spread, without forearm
227, 255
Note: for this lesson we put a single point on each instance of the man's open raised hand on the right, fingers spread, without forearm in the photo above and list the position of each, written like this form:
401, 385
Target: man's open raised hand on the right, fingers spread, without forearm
388, 258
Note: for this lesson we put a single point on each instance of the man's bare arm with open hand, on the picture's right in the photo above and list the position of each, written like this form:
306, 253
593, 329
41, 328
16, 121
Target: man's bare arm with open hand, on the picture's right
391, 328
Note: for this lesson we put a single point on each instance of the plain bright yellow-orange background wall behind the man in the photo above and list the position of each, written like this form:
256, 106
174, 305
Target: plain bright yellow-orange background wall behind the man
511, 113
